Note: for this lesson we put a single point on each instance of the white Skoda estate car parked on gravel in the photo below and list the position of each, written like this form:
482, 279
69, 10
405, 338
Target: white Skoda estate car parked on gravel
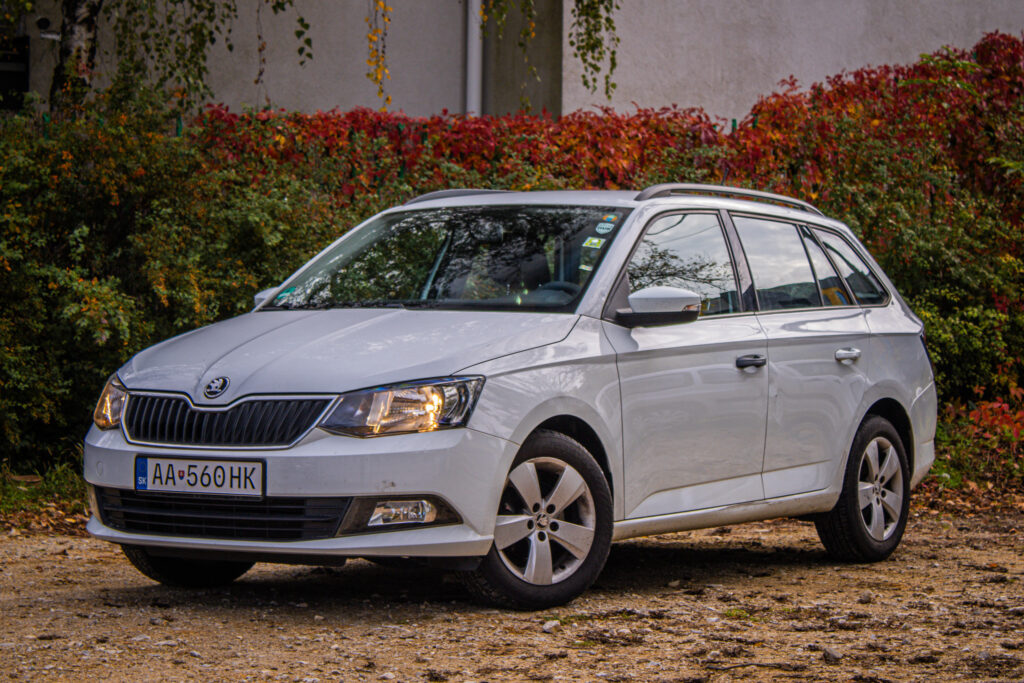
504, 383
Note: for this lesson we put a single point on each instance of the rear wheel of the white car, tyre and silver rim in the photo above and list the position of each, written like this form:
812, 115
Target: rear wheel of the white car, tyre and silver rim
869, 521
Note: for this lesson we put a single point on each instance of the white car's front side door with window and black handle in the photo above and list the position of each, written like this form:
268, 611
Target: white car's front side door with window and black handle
694, 422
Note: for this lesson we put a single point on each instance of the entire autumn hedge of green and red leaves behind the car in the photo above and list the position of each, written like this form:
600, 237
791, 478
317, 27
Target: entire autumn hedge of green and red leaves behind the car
119, 232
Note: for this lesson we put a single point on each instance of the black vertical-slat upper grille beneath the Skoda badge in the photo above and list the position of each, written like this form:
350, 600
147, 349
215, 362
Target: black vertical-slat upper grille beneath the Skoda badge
173, 420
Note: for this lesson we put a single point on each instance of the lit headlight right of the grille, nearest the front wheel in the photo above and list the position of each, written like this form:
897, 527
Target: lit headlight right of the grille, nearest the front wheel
401, 409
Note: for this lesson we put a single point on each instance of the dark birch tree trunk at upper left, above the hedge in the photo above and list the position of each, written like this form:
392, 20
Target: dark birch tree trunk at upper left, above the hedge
77, 60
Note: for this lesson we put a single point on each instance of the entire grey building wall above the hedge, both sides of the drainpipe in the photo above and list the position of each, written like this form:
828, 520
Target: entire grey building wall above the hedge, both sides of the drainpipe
719, 55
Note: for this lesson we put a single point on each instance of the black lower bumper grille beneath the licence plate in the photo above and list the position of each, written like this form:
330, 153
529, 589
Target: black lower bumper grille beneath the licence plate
201, 517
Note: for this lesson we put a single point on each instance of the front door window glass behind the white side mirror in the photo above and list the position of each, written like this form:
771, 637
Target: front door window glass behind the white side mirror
688, 251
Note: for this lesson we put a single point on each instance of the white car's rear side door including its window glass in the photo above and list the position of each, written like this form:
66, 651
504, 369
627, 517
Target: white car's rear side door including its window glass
818, 336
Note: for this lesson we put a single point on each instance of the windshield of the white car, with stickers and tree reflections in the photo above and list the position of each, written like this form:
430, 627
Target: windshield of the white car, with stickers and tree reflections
505, 258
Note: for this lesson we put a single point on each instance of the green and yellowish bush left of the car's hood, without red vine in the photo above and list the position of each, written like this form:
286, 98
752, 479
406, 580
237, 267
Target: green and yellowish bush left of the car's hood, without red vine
117, 234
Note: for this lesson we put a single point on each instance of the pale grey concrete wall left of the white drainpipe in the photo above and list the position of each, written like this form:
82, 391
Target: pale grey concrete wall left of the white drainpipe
425, 54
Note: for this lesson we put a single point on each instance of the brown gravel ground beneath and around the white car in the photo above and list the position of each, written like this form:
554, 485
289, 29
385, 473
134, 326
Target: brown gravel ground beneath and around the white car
756, 602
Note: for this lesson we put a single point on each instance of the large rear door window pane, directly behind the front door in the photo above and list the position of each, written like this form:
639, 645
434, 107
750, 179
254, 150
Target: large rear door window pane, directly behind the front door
782, 273
